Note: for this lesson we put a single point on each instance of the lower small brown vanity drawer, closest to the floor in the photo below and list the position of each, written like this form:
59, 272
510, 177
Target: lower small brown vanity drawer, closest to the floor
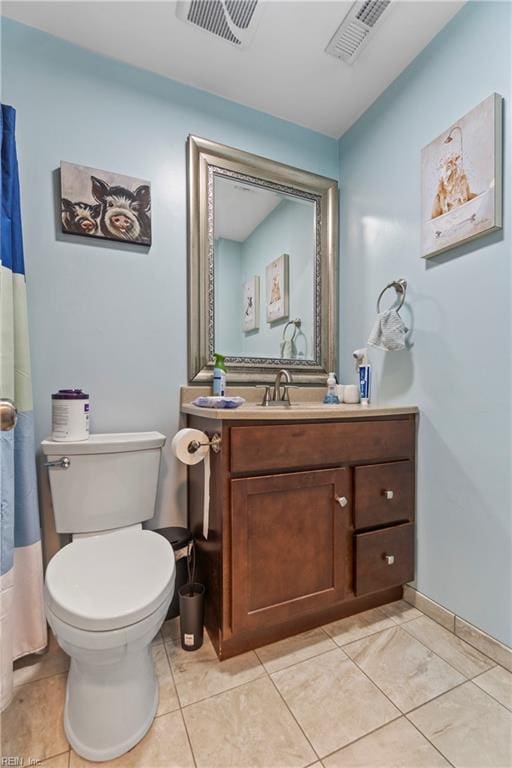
384, 558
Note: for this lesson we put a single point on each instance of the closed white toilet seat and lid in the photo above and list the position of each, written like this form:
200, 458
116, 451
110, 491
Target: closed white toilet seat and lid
110, 580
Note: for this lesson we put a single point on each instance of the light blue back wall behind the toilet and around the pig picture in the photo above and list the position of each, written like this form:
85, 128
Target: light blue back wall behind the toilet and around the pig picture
104, 317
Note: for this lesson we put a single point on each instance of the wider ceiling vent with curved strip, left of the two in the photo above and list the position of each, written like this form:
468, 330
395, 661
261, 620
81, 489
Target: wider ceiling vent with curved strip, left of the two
233, 20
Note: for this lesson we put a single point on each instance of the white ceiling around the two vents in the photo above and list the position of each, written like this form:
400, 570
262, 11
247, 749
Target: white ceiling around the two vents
284, 72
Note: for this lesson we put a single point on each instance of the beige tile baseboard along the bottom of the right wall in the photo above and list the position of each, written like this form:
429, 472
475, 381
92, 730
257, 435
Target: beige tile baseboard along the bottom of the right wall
497, 651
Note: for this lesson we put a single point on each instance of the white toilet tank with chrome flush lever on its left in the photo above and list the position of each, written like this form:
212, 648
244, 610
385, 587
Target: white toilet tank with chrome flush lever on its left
110, 481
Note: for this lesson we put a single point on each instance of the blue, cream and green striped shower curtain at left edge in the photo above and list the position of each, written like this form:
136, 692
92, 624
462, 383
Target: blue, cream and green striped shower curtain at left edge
22, 622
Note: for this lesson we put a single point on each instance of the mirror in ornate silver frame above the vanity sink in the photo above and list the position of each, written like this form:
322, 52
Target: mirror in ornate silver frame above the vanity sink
262, 277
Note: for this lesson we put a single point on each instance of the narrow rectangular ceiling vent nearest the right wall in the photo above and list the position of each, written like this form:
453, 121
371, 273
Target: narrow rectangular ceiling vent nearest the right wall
354, 31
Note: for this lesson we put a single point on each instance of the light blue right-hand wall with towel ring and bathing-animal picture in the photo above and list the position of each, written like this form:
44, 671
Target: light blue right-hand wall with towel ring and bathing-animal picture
458, 369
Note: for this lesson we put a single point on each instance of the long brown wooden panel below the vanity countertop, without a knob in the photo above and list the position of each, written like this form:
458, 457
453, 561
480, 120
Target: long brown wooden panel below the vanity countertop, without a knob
293, 446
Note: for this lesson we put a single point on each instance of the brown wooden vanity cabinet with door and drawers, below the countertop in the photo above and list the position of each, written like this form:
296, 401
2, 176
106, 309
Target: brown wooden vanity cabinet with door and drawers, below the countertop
309, 522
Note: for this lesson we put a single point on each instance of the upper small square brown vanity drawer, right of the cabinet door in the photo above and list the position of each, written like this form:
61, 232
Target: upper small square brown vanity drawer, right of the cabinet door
384, 494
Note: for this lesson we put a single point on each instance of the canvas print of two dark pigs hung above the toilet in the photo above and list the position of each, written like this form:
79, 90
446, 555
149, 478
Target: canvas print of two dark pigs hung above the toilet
102, 204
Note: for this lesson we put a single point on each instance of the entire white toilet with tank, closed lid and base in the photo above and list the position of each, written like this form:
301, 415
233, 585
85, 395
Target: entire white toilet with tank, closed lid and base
108, 591
